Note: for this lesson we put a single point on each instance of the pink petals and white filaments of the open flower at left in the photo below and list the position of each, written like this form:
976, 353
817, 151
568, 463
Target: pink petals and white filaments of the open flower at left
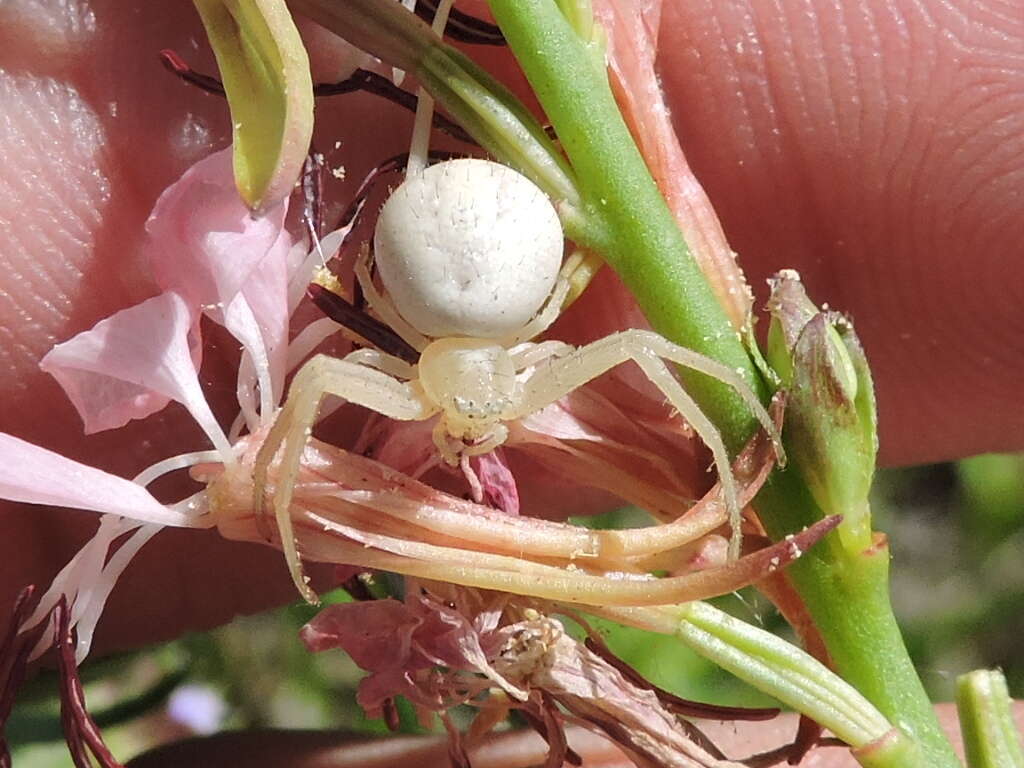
224, 265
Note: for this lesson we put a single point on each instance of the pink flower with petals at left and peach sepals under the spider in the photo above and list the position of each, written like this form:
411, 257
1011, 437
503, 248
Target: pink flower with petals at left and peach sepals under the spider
244, 274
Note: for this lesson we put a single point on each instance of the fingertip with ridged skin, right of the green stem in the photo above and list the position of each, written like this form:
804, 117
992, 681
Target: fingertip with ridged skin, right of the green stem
879, 151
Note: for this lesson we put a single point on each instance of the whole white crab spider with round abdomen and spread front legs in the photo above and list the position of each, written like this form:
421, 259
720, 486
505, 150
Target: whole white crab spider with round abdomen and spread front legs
470, 254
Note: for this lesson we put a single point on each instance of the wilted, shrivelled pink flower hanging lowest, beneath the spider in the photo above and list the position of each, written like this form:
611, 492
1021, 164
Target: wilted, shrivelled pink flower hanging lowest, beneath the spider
445, 647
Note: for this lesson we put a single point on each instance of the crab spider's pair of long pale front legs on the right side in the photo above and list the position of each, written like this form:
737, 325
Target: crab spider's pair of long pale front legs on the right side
557, 377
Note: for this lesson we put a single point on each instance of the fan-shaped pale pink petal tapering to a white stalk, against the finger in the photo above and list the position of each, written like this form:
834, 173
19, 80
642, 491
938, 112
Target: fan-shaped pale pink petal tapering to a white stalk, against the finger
131, 365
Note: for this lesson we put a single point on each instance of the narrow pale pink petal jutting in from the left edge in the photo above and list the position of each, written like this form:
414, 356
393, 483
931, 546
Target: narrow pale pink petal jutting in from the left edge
35, 476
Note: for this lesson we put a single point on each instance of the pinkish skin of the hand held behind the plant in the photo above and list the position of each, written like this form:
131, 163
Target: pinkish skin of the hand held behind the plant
877, 148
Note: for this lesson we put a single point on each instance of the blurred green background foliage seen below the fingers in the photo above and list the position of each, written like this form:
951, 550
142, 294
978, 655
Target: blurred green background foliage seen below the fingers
958, 540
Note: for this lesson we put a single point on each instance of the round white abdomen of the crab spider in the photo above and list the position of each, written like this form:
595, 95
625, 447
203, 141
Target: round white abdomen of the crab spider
468, 248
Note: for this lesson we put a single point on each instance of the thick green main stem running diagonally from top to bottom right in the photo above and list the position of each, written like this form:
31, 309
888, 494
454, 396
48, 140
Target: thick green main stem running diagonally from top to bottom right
847, 594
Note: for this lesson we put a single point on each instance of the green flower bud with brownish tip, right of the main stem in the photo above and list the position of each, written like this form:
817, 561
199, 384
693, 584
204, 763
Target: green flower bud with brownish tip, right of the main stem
831, 421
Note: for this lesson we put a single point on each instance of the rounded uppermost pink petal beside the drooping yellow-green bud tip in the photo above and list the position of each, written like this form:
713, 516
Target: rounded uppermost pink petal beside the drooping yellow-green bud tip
204, 241
